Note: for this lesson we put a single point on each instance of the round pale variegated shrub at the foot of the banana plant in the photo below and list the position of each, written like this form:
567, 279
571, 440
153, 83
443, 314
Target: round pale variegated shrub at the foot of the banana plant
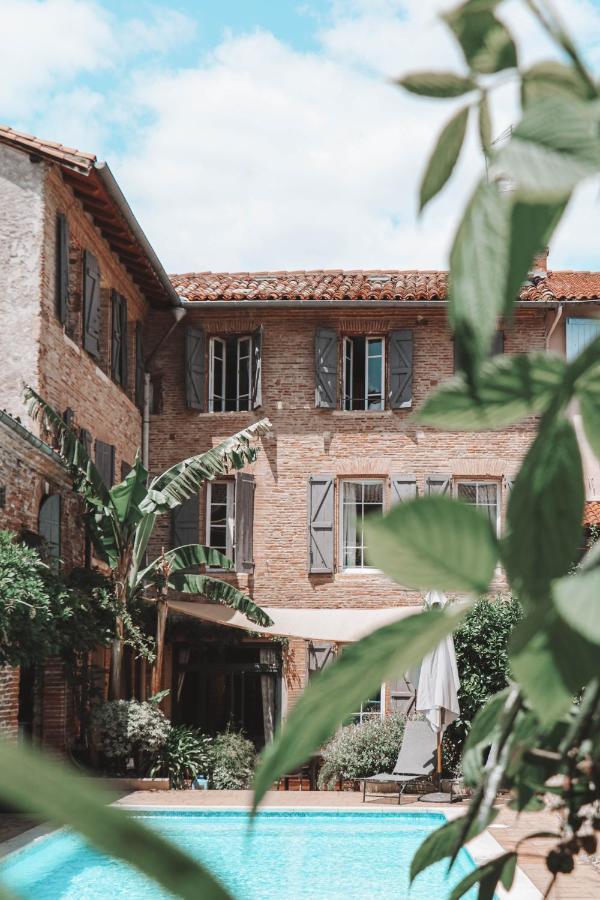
125, 729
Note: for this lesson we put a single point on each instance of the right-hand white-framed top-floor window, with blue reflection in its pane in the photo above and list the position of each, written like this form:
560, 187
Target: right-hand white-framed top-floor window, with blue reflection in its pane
364, 372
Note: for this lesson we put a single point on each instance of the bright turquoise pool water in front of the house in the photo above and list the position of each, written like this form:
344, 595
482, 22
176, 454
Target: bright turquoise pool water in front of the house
289, 856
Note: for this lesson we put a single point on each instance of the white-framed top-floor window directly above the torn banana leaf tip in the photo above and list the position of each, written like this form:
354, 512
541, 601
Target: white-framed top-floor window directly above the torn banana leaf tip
230, 374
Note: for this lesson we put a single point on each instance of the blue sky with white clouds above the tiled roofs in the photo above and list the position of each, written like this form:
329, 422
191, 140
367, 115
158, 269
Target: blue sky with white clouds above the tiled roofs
254, 135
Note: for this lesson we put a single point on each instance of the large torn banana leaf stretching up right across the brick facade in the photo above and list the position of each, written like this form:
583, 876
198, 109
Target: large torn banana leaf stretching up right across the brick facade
182, 481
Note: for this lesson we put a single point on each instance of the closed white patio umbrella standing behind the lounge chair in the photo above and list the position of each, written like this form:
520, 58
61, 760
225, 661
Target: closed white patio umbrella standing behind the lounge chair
437, 689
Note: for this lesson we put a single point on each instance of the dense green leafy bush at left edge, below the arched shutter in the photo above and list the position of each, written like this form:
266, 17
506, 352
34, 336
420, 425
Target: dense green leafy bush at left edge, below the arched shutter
43, 615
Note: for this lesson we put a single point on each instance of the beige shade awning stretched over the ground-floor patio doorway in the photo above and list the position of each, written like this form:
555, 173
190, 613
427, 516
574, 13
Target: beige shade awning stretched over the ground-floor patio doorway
340, 626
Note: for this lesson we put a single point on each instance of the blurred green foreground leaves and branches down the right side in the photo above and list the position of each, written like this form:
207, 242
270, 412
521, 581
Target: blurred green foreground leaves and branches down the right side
532, 731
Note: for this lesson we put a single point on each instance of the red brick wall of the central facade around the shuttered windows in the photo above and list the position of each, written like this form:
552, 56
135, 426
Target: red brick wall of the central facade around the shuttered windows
308, 441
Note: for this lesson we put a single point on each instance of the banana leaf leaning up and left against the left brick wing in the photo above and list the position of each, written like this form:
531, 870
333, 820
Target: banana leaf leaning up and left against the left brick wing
88, 480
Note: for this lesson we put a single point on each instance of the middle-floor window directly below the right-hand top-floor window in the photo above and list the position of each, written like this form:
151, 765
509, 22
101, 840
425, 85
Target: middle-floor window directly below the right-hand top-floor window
359, 499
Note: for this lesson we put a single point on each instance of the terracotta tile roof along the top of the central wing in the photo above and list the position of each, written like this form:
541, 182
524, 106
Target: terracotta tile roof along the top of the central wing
372, 285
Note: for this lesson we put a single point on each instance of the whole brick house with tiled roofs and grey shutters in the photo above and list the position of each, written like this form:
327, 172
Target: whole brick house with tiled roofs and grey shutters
338, 361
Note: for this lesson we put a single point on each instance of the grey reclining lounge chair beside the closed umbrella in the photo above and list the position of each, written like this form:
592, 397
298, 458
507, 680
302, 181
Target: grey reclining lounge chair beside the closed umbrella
415, 763
